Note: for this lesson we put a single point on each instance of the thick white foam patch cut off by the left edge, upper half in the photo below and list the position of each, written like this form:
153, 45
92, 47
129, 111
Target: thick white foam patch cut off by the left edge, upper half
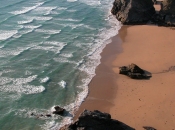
4, 35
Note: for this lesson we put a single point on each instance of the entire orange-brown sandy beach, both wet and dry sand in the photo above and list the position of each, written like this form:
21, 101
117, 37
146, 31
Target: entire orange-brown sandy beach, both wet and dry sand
137, 103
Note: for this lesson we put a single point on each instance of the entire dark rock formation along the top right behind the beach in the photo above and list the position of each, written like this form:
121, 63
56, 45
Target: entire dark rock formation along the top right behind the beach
142, 12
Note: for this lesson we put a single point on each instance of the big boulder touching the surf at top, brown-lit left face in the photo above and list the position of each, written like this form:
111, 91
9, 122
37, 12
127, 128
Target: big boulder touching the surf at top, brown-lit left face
133, 11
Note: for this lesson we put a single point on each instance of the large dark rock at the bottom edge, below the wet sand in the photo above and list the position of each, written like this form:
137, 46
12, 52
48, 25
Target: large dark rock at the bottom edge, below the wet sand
96, 120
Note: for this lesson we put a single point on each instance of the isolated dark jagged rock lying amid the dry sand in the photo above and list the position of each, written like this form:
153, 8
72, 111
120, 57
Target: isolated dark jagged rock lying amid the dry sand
134, 72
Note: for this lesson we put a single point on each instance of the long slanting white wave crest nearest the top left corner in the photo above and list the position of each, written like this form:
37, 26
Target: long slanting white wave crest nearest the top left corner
26, 9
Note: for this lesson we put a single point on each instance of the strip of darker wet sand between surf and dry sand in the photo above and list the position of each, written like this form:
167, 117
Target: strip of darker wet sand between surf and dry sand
102, 86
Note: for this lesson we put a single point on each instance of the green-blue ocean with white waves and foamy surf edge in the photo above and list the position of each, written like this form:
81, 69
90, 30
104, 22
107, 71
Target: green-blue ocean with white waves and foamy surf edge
49, 50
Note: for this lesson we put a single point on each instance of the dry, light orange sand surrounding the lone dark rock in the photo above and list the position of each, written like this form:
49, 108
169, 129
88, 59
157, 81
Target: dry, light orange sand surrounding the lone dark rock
151, 102
